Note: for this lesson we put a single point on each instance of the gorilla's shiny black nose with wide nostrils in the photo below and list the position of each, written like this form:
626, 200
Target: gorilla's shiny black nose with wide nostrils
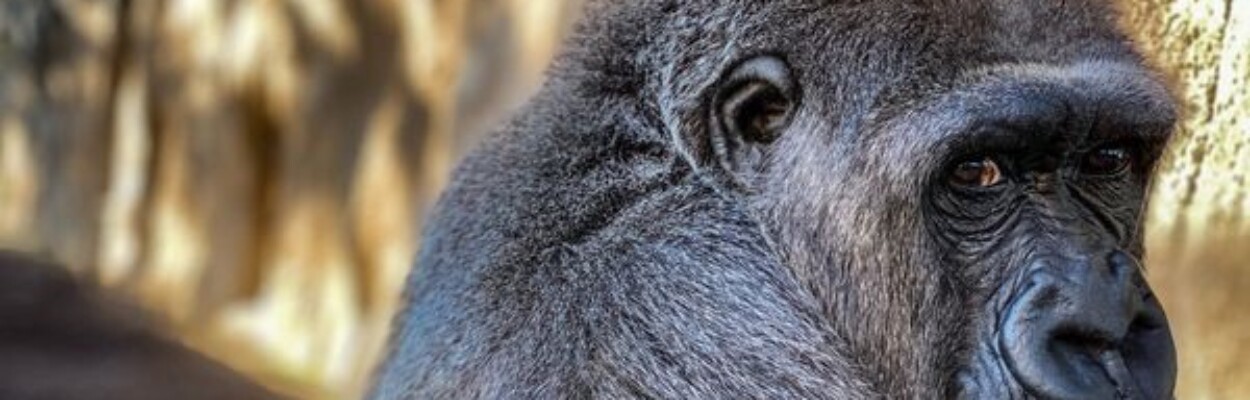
1089, 329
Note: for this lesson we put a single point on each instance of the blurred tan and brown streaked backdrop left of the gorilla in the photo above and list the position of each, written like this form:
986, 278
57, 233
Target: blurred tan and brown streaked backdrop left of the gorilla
253, 169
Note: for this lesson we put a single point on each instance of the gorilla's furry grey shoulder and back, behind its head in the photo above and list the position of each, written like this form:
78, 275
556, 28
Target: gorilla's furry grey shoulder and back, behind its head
579, 254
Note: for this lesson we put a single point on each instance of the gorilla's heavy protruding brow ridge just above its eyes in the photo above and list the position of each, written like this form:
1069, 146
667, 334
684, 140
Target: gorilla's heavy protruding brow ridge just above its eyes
1081, 102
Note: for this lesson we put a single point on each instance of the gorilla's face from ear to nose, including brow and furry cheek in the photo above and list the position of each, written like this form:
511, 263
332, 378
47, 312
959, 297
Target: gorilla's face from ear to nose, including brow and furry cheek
982, 236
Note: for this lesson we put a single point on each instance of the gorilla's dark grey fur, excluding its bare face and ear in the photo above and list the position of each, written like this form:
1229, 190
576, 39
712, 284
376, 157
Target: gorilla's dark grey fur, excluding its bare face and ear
594, 249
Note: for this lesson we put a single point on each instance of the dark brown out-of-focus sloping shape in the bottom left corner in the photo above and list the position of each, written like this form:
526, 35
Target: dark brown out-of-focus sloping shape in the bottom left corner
63, 339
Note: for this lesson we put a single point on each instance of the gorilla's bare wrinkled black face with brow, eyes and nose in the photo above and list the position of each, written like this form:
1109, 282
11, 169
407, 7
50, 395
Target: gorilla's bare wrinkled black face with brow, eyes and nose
1036, 188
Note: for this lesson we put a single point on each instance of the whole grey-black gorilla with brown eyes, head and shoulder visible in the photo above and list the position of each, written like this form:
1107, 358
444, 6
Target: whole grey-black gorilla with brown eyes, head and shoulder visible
804, 199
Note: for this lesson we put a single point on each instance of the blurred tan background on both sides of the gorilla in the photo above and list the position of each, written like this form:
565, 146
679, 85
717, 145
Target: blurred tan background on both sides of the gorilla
256, 172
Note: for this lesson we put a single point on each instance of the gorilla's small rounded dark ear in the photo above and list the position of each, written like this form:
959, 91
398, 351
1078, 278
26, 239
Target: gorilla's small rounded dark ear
753, 106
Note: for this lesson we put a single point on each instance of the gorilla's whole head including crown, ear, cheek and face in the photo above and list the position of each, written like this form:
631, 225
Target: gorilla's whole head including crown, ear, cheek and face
961, 184
